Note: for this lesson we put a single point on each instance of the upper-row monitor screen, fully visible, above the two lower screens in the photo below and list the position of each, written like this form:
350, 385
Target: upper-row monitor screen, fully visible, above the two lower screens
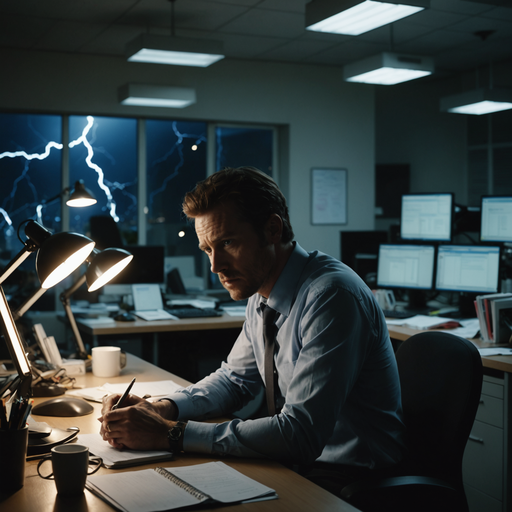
426, 217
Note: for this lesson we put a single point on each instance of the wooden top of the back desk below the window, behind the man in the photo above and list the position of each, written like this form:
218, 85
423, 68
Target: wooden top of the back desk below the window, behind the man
142, 326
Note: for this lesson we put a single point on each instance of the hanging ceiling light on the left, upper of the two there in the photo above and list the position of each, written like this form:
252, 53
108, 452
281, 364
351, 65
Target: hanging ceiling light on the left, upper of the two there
172, 50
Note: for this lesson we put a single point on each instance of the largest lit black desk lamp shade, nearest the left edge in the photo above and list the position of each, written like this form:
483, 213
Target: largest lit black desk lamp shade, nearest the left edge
61, 254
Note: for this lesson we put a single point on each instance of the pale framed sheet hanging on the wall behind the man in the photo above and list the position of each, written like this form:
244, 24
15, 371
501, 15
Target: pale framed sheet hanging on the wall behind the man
329, 196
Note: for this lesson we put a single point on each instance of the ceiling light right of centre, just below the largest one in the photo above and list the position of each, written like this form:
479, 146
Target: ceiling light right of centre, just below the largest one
388, 69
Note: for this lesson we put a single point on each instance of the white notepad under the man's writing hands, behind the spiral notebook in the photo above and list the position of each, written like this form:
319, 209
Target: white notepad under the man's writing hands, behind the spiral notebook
111, 455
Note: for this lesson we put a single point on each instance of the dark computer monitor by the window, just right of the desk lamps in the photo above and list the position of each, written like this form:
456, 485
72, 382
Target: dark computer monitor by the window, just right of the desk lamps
147, 267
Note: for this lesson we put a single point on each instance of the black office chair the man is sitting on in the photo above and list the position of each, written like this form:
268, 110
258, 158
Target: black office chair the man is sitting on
441, 380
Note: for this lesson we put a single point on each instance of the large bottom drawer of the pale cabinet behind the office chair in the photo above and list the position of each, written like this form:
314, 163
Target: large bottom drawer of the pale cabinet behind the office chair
482, 467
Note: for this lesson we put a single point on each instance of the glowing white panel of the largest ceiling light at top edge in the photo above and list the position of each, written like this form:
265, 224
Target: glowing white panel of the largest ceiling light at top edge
364, 17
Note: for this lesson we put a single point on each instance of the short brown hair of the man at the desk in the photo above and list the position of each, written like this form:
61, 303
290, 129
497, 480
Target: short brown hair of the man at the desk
255, 195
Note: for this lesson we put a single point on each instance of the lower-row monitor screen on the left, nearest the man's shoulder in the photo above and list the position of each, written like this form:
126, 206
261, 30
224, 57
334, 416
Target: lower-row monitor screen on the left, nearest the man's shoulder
406, 266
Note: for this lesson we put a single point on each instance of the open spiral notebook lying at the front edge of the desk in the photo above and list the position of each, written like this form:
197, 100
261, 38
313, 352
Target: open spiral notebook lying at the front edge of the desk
162, 489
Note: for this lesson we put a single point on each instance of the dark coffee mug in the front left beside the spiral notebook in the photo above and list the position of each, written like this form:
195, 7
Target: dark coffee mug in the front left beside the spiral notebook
70, 464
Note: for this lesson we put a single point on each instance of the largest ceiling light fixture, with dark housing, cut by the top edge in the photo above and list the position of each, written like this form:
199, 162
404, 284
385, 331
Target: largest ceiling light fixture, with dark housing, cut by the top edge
355, 17
